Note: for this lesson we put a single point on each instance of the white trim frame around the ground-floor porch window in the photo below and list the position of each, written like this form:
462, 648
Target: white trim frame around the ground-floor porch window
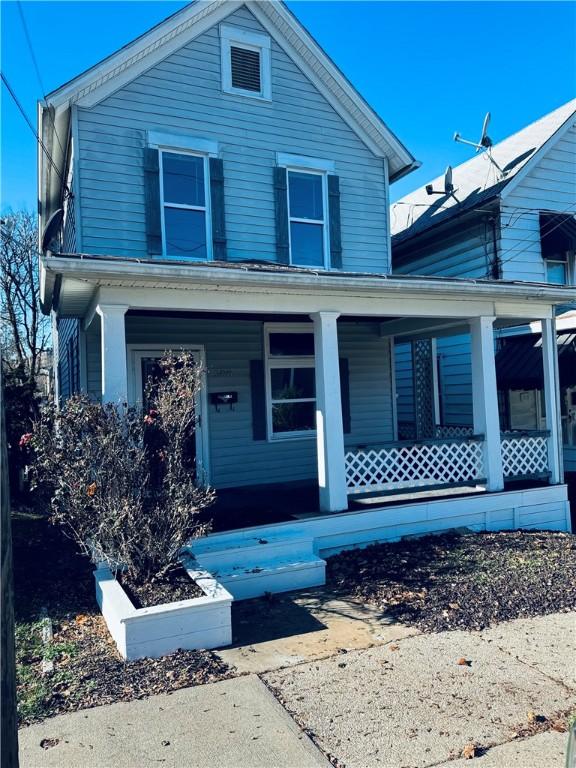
270, 362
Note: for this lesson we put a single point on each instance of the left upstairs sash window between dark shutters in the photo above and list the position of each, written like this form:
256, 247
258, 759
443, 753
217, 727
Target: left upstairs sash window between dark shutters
184, 196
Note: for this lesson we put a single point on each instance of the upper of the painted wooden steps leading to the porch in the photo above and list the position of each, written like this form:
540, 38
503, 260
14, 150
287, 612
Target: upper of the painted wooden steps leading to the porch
249, 553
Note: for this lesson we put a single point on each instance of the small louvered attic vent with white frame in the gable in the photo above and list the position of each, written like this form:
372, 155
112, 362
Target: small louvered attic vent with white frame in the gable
245, 61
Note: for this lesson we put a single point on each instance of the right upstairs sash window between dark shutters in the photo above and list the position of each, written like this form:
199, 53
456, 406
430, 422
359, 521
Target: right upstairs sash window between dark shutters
306, 211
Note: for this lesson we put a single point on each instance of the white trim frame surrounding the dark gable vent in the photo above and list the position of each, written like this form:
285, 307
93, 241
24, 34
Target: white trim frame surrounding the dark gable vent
251, 41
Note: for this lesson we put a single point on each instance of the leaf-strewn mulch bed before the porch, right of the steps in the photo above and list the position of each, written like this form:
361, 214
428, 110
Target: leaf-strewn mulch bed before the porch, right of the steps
462, 581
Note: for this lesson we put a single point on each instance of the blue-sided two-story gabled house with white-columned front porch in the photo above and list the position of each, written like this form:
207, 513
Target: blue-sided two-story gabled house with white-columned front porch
229, 193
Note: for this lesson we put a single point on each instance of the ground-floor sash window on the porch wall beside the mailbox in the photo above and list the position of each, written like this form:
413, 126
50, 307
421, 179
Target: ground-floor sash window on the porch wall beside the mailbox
291, 387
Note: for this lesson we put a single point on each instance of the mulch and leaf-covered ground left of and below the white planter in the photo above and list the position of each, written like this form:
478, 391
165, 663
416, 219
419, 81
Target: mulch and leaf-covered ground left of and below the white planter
50, 577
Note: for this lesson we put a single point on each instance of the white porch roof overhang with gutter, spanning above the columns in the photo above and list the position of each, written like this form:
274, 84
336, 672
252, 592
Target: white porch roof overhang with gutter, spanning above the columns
82, 282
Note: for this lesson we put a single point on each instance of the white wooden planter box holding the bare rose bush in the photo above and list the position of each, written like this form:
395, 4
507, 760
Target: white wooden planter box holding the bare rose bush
202, 622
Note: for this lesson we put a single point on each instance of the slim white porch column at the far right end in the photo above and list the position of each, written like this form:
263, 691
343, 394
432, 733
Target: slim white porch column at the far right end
551, 397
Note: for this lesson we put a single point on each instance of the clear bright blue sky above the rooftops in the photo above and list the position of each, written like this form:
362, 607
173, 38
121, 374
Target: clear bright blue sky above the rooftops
428, 68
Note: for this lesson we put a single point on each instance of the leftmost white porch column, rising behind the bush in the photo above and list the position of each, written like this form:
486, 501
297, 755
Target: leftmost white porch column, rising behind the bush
114, 368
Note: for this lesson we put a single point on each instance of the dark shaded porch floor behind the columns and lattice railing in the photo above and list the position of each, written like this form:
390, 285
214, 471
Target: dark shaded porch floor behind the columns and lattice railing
245, 507
